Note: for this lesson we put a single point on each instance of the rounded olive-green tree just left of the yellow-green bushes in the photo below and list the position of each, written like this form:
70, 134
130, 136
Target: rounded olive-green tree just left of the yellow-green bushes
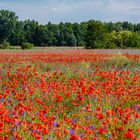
96, 32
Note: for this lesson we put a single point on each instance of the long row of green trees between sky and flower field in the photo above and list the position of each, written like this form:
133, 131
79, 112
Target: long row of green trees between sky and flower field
92, 34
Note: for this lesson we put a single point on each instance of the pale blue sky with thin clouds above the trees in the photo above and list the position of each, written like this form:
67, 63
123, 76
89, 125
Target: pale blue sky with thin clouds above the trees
57, 11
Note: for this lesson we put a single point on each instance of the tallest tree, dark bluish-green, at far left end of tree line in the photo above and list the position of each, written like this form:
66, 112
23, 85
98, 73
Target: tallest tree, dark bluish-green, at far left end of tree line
8, 21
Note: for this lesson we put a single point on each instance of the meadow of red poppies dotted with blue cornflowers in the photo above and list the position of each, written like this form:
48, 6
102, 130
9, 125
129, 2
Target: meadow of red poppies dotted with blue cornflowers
72, 95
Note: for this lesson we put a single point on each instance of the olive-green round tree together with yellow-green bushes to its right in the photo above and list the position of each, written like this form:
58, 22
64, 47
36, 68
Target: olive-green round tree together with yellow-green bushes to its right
97, 37
